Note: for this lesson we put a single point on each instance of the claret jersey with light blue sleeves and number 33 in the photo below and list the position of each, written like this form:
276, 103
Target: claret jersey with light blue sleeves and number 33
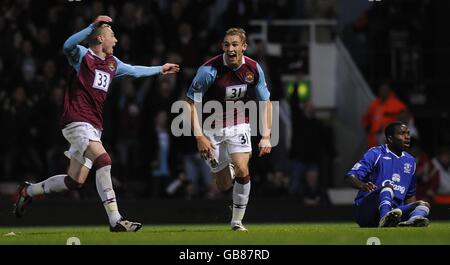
85, 97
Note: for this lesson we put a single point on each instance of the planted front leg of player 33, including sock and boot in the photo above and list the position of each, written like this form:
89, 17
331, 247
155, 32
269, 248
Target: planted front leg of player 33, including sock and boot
102, 163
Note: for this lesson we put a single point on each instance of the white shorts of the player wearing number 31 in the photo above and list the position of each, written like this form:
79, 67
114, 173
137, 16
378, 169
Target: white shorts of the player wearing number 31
228, 140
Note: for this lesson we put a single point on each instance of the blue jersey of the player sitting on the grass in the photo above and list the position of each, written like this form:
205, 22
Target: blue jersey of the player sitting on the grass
381, 166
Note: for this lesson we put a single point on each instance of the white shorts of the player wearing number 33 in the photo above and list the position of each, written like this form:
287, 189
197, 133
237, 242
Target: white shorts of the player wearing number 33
78, 134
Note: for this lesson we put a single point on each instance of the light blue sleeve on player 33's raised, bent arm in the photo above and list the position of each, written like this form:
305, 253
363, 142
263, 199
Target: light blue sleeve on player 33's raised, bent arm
75, 52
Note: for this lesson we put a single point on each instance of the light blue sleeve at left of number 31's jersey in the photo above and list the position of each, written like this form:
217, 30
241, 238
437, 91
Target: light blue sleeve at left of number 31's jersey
202, 81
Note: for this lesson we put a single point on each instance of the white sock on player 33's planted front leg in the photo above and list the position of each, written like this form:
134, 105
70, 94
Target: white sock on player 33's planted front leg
106, 192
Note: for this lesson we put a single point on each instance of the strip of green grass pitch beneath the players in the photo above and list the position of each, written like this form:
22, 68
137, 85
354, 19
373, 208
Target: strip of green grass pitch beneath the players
219, 234
